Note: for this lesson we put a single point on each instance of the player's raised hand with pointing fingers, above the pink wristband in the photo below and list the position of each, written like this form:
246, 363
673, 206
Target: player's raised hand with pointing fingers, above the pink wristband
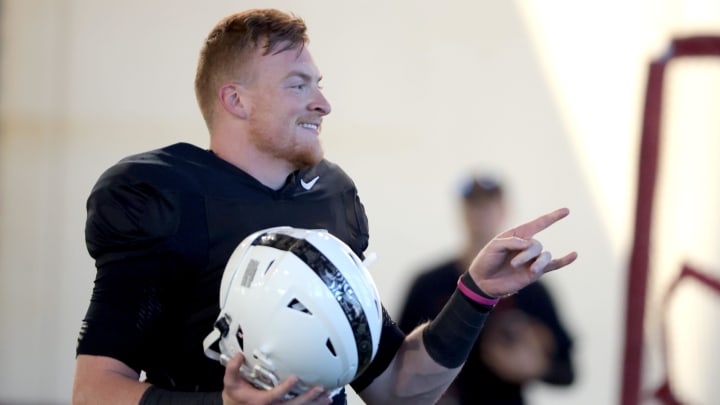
514, 259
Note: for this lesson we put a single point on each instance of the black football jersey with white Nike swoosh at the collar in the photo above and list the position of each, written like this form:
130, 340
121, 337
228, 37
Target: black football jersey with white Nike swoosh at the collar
161, 226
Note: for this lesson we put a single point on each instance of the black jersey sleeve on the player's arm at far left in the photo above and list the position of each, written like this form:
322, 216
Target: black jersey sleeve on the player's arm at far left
128, 226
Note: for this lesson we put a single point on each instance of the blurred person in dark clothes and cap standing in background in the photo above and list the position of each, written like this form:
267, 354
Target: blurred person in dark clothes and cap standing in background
523, 340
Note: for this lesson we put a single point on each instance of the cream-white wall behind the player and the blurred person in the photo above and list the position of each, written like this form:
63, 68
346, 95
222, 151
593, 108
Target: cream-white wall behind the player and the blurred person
547, 93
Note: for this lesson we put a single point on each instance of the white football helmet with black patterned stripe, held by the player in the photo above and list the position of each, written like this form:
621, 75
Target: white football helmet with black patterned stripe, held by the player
297, 302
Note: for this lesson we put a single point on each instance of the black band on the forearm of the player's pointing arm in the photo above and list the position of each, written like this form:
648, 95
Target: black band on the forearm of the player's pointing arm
449, 337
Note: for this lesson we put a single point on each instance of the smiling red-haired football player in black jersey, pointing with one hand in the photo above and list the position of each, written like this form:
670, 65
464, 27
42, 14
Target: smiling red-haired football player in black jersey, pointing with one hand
161, 226
